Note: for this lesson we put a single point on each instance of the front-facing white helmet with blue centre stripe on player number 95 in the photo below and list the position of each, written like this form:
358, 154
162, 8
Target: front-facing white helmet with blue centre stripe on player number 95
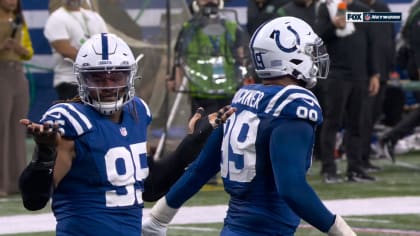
105, 69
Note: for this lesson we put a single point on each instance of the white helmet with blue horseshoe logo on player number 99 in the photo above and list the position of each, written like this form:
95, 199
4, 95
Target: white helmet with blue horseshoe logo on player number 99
289, 46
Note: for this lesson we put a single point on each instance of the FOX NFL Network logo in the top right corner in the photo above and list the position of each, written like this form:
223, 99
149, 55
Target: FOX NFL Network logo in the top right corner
373, 16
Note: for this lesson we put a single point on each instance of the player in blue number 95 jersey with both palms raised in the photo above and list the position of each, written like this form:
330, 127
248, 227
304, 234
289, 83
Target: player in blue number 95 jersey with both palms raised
91, 152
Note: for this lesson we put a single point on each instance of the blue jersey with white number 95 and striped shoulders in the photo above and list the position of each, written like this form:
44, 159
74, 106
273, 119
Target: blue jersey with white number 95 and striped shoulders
102, 192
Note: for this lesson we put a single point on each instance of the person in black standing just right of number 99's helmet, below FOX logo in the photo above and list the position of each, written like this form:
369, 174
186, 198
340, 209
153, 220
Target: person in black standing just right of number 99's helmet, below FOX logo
353, 76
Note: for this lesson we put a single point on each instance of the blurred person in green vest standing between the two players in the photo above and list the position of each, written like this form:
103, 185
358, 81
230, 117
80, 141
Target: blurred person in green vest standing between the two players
209, 51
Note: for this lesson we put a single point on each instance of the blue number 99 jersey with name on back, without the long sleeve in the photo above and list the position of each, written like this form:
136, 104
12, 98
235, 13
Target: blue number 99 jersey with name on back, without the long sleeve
246, 167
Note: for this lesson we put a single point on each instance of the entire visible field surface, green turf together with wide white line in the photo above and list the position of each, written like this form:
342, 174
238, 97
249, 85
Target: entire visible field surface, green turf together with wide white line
395, 218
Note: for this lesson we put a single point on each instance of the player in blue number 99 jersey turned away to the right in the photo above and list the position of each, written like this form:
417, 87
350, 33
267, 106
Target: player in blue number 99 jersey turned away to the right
264, 149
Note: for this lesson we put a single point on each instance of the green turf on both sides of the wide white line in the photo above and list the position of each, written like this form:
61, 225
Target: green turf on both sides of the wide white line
399, 179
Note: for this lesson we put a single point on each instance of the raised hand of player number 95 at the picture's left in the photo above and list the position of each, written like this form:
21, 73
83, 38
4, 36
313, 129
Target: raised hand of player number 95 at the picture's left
45, 135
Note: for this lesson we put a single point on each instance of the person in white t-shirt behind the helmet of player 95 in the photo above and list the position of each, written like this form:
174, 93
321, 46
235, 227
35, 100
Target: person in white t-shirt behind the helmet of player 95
66, 29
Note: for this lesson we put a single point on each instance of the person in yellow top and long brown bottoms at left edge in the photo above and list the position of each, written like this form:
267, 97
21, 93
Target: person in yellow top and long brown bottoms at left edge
15, 47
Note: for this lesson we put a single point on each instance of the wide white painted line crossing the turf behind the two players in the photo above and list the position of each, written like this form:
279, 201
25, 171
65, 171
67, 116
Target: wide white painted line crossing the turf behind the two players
215, 214
